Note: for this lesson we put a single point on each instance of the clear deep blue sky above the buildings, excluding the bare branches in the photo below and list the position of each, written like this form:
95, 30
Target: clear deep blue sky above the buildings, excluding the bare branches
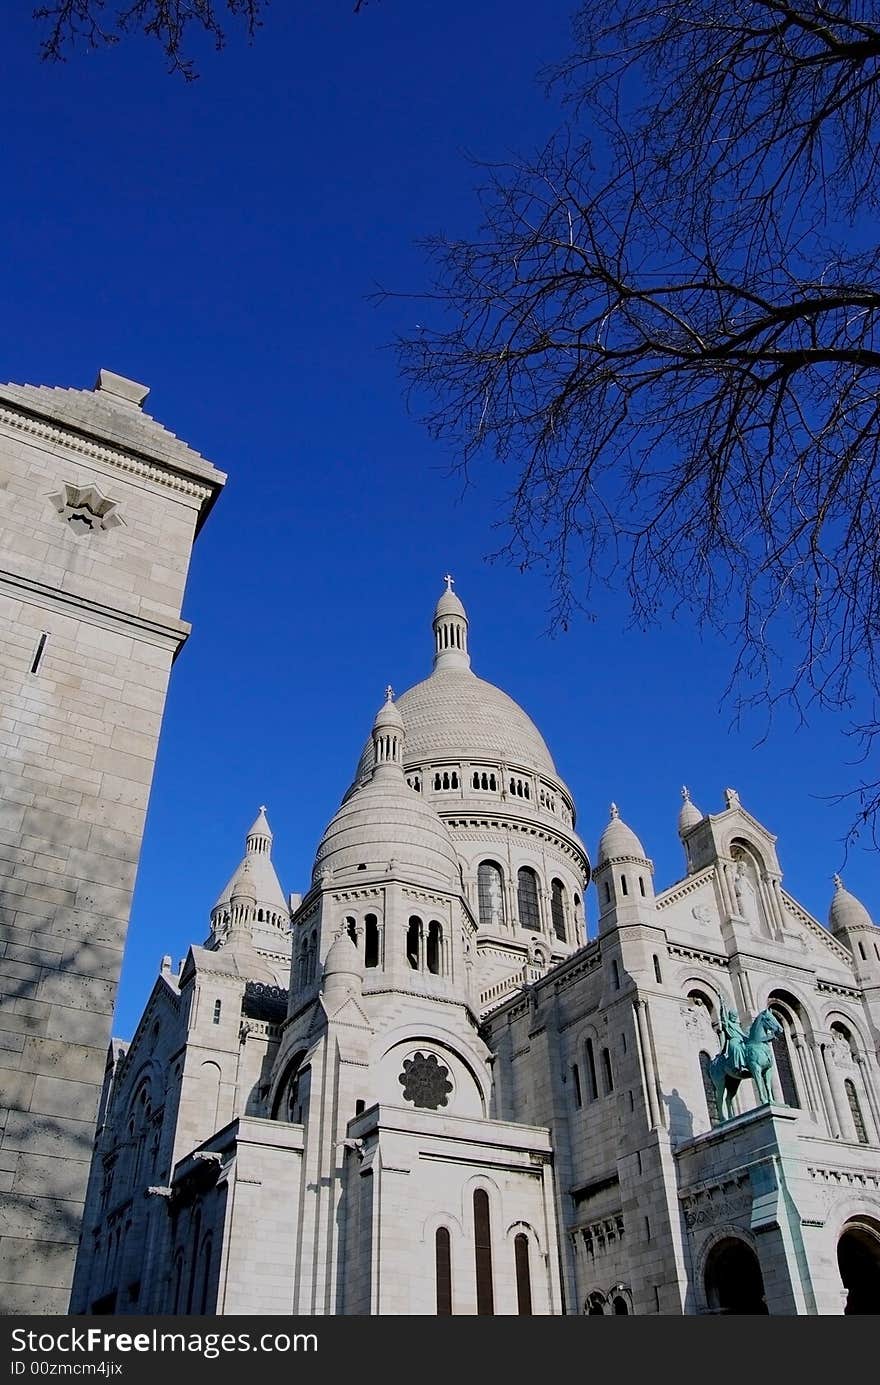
220, 242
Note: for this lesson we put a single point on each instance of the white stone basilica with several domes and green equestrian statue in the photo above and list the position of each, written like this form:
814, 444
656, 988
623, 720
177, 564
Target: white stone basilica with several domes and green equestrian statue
419, 1088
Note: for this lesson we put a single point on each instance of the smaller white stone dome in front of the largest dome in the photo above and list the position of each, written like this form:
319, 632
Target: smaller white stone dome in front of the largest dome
385, 822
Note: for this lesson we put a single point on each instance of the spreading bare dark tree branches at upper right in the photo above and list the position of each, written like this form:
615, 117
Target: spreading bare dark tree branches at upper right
670, 333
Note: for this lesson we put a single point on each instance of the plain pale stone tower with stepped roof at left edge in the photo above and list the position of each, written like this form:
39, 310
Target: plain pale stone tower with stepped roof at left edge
99, 508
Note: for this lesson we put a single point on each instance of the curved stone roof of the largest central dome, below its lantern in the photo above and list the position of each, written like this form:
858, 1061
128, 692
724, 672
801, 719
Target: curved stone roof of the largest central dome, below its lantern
454, 714
